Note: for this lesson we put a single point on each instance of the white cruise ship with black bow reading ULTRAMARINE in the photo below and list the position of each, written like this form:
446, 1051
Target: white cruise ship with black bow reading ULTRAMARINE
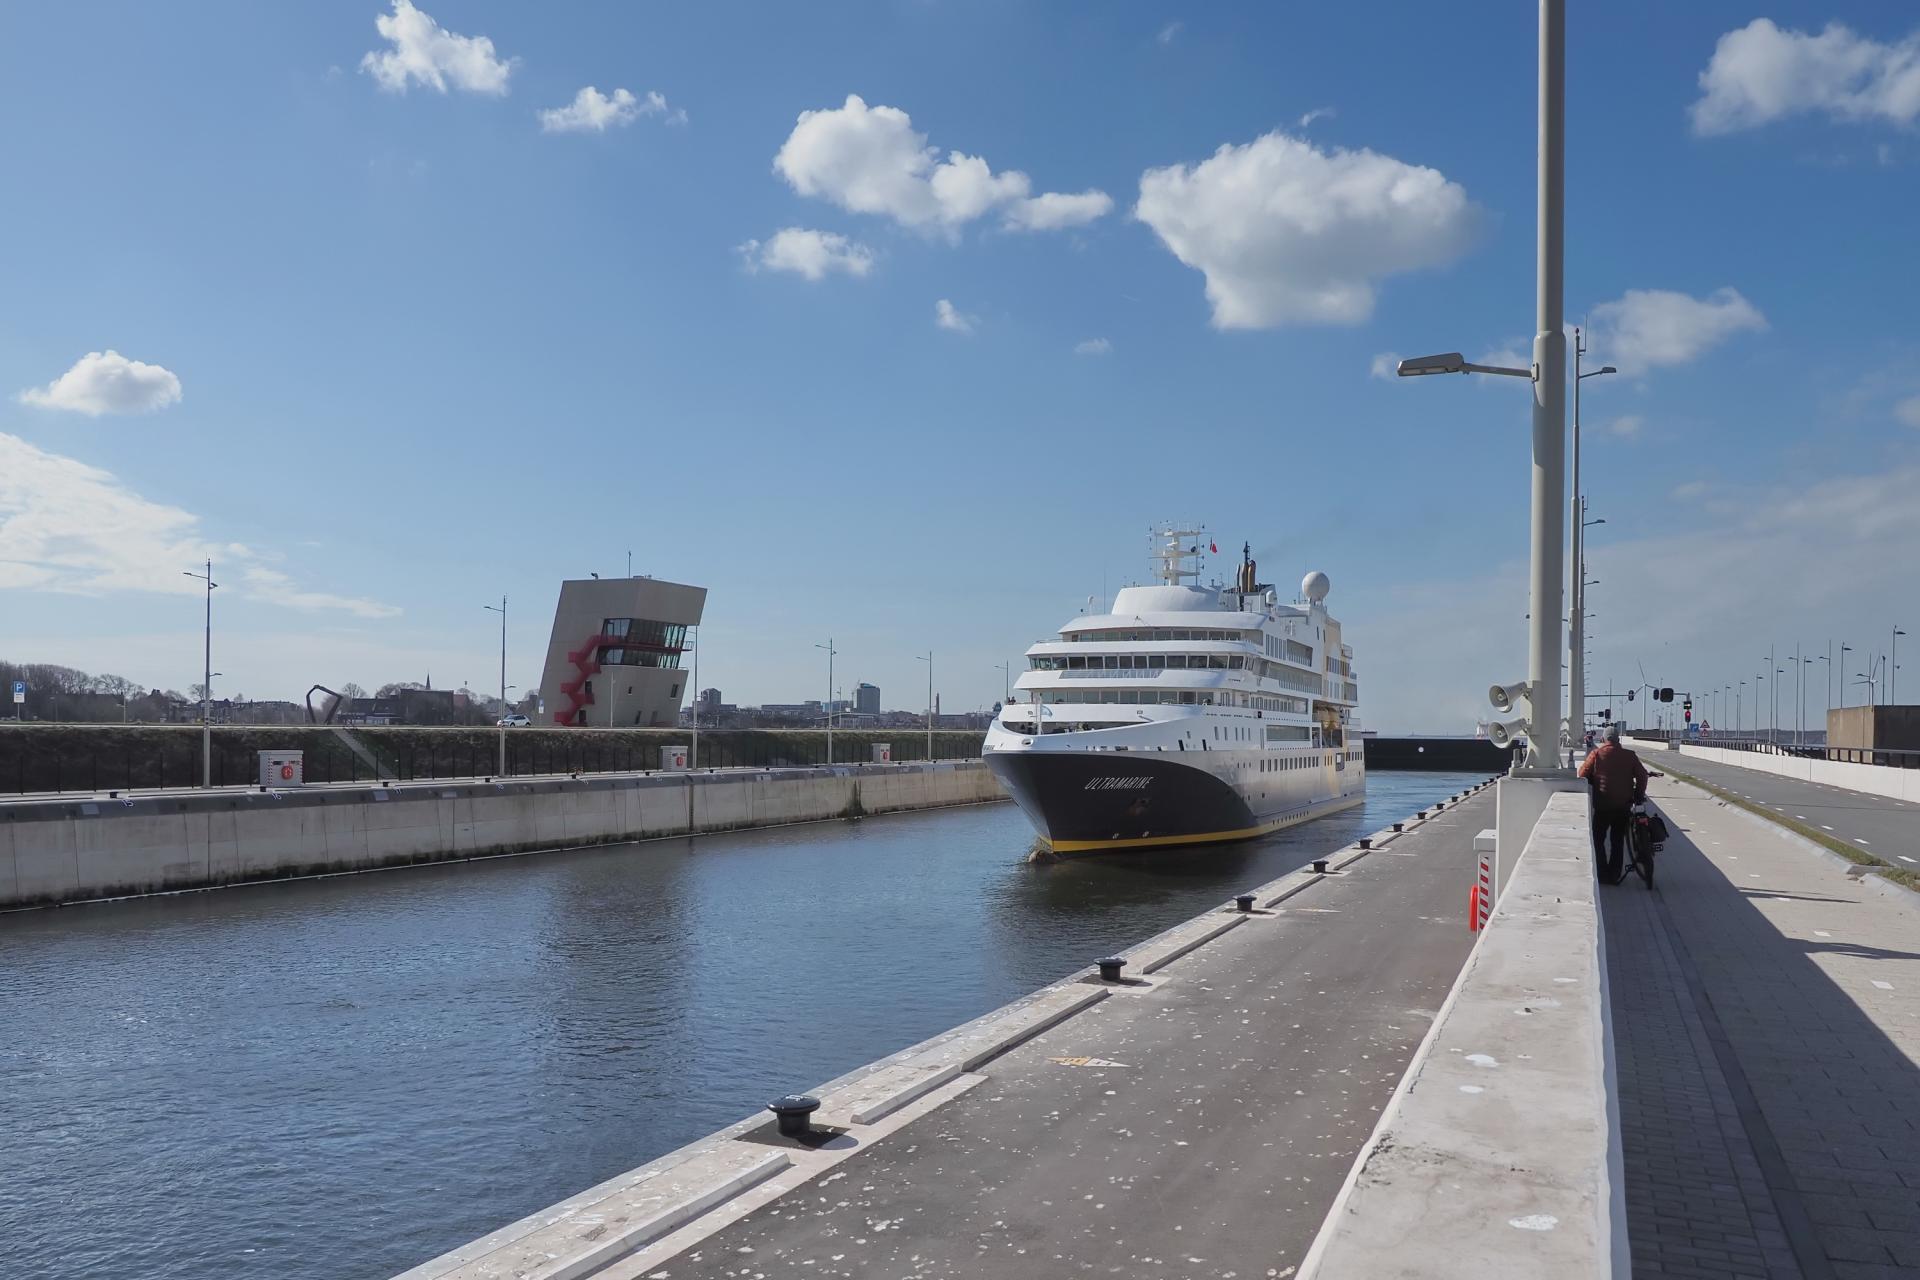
1188, 715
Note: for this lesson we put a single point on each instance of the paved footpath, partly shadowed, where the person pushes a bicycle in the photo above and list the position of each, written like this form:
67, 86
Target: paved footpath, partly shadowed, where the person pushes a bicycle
1767, 1035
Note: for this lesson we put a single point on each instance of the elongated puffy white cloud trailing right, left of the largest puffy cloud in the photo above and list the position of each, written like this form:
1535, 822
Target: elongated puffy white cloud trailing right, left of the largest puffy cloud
871, 160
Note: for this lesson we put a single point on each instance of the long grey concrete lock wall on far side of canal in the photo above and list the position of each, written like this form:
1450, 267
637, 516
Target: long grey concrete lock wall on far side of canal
72, 851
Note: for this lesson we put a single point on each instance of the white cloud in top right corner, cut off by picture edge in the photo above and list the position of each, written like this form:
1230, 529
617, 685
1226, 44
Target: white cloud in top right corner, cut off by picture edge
1762, 74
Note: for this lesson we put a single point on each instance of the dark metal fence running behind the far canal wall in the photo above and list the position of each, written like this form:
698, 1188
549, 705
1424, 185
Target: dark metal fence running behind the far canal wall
176, 765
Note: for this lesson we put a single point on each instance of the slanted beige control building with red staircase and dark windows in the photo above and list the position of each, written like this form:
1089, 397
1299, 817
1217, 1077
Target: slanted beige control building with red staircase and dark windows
617, 650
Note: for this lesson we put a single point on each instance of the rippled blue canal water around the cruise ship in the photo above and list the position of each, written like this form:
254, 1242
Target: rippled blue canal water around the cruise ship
347, 1078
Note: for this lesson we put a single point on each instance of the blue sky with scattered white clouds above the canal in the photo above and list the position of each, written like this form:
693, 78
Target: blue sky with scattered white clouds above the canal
389, 344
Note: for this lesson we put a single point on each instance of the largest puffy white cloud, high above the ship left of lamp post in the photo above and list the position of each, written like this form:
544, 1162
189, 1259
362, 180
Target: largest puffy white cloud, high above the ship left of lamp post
1289, 233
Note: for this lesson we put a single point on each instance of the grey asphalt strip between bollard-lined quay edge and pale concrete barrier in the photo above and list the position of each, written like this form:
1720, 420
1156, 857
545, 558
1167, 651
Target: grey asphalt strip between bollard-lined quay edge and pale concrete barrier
1209, 1135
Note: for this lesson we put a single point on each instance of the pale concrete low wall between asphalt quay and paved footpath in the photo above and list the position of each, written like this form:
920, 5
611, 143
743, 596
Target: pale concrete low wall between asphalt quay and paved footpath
1500, 1152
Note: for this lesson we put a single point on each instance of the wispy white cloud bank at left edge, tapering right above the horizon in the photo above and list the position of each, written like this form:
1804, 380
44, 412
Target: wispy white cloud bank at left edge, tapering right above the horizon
70, 527
